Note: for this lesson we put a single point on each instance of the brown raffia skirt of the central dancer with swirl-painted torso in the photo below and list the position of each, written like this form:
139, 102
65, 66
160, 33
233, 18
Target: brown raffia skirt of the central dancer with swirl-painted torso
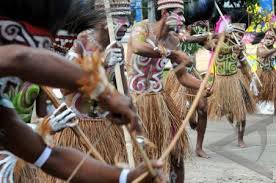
161, 121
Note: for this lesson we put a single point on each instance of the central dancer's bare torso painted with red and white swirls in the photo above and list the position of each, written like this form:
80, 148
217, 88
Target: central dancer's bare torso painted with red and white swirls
146, 74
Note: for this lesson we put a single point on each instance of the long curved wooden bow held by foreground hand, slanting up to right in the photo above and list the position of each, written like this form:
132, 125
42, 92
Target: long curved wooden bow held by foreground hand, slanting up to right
191, 111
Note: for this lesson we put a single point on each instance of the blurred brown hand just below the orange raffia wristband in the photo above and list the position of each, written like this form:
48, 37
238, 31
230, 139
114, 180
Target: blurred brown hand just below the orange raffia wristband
122, 111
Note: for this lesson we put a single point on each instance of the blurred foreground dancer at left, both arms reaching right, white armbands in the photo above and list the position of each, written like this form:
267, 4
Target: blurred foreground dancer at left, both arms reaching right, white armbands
46, 68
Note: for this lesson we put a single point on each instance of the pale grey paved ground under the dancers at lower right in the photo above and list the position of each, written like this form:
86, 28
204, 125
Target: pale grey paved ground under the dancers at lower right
219, 168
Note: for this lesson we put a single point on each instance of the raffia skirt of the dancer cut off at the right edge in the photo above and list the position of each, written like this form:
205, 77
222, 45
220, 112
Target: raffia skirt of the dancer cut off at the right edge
268, 91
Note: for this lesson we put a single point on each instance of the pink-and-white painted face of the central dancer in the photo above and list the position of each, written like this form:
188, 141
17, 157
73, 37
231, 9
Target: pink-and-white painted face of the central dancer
175, 20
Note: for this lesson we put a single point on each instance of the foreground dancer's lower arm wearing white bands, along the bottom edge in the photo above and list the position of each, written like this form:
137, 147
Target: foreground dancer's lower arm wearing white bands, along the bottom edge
19, 139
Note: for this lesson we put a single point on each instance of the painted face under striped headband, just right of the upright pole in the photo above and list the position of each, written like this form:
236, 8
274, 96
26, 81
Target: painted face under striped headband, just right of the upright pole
121, 24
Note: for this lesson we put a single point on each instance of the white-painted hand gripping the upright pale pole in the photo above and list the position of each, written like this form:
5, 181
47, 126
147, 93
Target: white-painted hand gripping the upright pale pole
114, 54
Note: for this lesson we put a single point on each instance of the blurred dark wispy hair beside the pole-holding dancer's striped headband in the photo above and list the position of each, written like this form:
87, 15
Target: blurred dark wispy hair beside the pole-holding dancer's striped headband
82, 16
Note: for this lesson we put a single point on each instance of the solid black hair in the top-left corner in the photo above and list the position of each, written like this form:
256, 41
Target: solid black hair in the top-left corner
48, 14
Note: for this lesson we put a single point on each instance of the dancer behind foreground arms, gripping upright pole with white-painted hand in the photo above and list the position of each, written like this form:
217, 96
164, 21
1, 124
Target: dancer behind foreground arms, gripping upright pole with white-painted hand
93, 120
